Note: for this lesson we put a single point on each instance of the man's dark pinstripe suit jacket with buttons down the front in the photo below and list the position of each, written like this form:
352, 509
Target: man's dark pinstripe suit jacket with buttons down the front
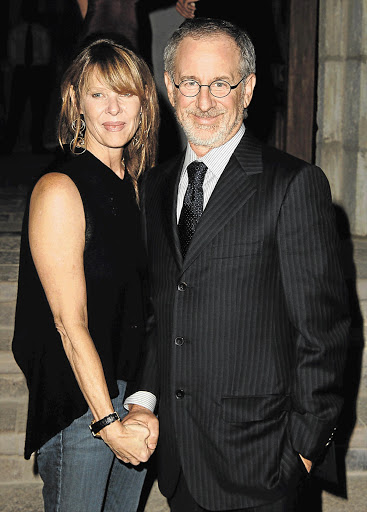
251, 328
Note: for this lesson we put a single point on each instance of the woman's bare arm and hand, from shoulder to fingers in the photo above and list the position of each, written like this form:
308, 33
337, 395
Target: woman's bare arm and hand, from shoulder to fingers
57, 238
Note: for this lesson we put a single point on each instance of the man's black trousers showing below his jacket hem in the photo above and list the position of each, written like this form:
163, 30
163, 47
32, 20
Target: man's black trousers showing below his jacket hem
182, 501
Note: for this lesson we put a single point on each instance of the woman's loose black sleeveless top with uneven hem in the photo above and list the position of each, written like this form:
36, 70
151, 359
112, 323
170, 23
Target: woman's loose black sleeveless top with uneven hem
115, 266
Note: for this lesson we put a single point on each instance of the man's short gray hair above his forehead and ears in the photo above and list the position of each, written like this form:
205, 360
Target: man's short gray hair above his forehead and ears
201, 28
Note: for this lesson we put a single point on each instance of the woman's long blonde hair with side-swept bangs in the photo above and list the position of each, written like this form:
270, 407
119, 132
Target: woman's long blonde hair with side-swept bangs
125, 72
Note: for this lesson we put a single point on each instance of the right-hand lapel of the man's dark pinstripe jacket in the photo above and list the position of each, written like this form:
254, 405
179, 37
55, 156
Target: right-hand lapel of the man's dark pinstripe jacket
234, 188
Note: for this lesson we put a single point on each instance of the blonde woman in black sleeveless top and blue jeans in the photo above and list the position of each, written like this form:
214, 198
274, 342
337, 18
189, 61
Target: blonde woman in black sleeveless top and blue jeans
81, 295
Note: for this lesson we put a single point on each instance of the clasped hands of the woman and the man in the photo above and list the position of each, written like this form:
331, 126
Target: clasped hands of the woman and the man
134, 438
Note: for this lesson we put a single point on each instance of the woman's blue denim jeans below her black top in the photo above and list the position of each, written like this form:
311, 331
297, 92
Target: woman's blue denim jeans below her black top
81, 474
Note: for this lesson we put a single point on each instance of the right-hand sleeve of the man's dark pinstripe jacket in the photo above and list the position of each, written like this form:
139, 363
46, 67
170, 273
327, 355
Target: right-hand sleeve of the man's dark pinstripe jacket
316, 299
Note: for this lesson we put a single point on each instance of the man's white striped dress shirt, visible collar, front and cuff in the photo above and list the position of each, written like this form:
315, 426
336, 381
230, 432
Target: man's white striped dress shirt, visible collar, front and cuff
216, 161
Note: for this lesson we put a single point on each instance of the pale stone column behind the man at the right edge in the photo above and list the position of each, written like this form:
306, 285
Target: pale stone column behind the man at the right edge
342, 105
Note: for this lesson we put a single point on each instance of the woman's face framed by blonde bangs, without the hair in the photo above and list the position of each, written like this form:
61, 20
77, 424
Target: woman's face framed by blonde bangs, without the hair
111, 118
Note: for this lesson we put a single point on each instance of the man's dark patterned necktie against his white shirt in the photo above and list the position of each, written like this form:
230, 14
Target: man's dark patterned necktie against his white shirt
192, 207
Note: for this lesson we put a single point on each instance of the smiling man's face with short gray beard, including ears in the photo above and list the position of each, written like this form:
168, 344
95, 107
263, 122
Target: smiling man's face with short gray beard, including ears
208, 121
